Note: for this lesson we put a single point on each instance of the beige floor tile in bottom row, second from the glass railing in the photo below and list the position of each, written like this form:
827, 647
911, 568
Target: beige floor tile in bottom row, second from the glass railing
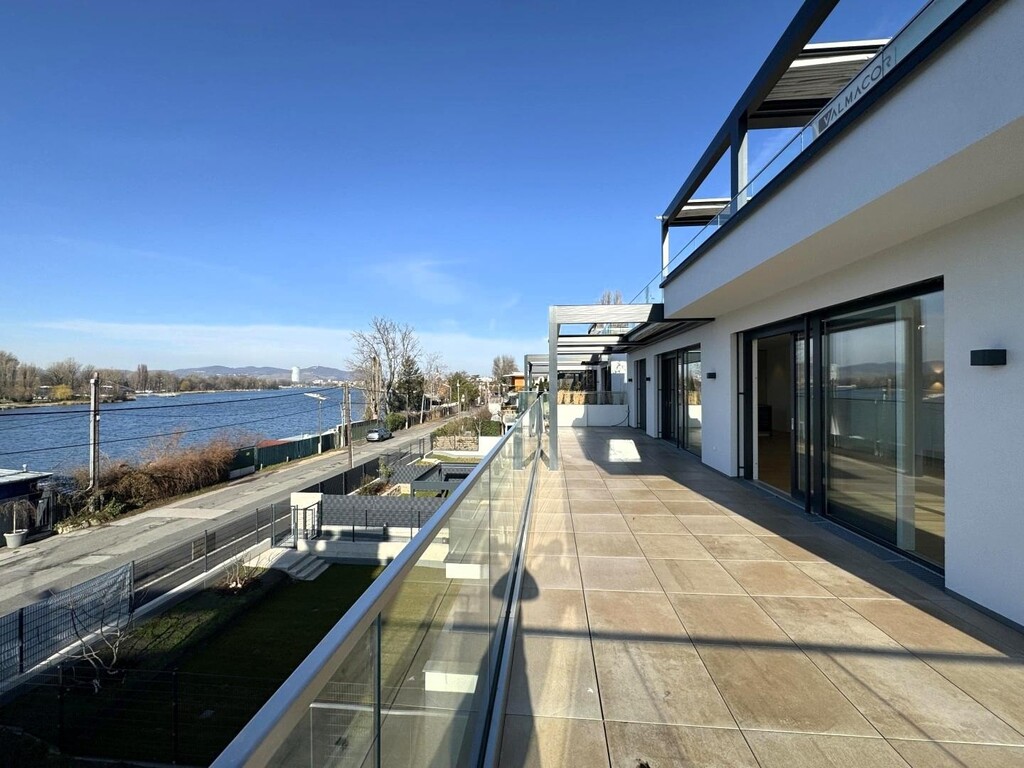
634, 745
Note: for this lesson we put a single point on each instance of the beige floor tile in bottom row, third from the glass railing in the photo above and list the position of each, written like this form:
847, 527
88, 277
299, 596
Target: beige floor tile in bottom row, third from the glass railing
775, 750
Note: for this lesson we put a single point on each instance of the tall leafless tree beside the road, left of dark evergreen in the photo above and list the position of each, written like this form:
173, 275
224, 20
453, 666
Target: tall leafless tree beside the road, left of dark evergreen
377, 359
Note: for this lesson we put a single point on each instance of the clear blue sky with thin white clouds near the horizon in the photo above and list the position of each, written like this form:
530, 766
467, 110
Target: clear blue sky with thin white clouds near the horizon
247, 183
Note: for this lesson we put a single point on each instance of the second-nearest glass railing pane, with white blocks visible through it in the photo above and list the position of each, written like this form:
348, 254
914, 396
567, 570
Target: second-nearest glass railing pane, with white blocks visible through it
437, 638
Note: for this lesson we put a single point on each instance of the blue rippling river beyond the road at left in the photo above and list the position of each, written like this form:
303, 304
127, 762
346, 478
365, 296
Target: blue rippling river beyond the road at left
56, 439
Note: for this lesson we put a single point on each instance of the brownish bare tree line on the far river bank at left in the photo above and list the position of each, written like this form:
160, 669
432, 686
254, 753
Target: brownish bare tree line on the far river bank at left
69, 379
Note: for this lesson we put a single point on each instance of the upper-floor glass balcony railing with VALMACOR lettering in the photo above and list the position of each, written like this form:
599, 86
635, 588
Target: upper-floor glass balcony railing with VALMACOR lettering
927, 21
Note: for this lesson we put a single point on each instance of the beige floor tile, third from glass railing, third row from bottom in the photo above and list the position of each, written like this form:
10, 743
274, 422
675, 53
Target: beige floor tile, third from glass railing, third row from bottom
728, 619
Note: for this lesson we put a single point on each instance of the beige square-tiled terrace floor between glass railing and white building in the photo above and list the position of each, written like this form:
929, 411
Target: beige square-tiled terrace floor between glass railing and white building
675, 618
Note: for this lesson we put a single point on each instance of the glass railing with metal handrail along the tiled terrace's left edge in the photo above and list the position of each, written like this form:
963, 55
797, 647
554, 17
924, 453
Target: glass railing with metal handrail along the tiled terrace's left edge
409, 675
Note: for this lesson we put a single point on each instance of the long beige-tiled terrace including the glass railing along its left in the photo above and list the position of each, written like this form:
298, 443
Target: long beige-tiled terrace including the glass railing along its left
648, 611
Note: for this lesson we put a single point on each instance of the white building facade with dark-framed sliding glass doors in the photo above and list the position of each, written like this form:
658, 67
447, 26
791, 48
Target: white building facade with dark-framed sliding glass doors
865, 351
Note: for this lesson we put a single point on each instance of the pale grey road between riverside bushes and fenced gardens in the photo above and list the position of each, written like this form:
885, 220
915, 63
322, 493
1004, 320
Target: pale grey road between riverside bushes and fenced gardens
32, 572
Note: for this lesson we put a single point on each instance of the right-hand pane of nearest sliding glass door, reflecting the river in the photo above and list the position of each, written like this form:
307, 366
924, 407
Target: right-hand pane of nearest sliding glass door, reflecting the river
885, 455
